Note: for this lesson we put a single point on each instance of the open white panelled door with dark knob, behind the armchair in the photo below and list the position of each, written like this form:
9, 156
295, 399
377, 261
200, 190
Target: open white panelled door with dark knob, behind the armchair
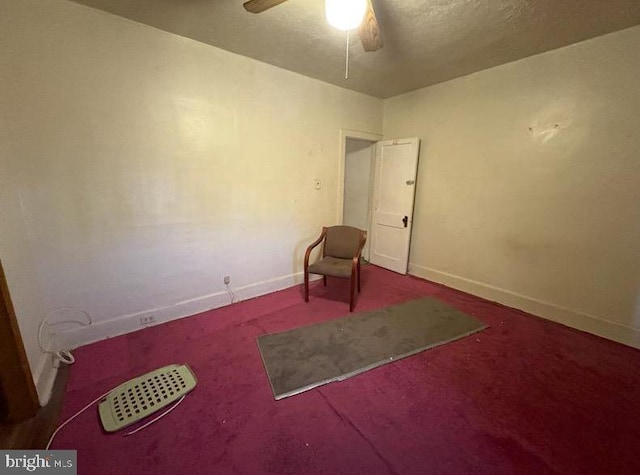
393, 193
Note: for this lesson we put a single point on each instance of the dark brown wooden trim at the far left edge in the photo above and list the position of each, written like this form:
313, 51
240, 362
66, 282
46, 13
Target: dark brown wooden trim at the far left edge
20, 399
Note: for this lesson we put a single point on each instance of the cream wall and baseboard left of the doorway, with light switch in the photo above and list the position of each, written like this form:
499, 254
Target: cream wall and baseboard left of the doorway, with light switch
147, 166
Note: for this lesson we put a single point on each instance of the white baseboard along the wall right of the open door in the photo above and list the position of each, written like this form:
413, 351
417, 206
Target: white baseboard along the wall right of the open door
625, 334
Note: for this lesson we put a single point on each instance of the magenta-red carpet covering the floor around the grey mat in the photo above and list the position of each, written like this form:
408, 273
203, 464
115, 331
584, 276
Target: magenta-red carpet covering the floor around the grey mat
525, 396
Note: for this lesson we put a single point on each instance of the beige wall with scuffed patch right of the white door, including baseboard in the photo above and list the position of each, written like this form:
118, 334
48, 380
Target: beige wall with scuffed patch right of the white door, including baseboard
529, 183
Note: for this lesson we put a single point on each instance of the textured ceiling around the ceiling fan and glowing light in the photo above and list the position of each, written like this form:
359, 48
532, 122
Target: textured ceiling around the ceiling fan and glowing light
425, 42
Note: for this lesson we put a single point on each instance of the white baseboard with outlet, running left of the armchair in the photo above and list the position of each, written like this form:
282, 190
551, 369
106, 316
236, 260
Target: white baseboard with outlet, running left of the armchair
104, 329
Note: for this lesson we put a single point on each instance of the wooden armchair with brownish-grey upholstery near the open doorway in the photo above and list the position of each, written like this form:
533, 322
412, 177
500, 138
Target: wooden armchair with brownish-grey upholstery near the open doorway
340, 257
